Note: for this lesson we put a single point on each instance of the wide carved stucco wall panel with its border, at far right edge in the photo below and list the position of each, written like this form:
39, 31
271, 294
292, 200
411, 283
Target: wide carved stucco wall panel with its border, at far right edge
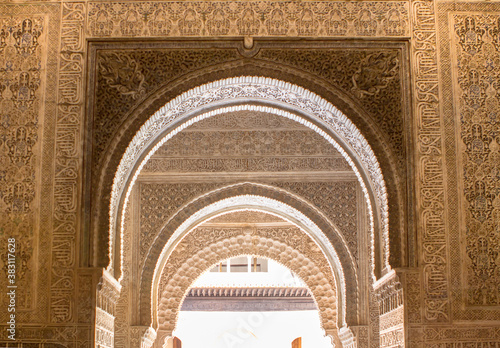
468, 47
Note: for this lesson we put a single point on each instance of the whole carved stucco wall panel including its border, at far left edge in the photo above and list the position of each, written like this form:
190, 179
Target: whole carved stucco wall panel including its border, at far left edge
28, 56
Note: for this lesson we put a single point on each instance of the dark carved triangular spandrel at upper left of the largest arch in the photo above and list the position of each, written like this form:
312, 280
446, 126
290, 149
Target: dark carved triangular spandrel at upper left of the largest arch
120, 88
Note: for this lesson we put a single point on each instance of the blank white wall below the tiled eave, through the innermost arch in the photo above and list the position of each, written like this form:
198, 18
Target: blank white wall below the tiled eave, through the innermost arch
250, 329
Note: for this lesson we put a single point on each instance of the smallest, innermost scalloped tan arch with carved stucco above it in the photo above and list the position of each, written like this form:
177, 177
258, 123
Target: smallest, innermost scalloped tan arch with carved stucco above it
199, 251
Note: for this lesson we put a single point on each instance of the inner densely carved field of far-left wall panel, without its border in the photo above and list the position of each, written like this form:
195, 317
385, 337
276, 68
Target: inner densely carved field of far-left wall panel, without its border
23, 47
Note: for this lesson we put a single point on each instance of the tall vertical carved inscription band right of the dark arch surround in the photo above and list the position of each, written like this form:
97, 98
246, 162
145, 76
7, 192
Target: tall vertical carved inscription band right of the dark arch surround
430, 172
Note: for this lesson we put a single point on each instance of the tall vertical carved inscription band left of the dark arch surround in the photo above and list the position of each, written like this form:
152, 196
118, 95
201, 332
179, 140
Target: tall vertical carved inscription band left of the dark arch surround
67, 152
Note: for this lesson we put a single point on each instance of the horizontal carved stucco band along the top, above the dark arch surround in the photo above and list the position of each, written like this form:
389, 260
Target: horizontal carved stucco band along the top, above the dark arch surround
248, 18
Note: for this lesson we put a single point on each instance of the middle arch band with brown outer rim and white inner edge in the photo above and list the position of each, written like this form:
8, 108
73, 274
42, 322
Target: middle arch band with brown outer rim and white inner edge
262, 198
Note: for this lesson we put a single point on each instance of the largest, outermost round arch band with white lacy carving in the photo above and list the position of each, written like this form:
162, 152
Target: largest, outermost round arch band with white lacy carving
261, 94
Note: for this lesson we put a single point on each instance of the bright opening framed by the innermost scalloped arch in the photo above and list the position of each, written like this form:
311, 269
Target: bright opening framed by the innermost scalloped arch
249, 301
